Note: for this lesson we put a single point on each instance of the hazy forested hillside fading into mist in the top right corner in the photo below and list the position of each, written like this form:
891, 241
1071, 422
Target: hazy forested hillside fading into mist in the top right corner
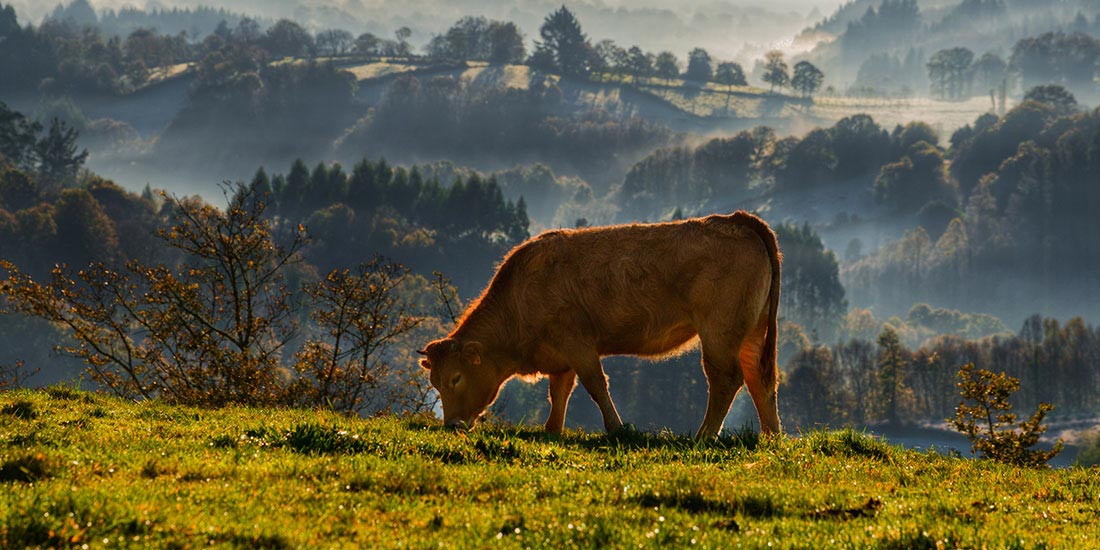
958, 49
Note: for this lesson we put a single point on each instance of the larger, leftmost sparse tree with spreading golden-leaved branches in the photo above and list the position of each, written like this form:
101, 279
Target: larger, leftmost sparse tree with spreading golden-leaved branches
207, 332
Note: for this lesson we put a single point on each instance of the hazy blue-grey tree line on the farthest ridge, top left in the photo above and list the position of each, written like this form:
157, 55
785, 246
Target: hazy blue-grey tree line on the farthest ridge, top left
71, 53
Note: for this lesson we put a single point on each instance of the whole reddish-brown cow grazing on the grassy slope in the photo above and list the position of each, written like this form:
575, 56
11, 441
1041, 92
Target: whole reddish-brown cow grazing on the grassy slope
566, 299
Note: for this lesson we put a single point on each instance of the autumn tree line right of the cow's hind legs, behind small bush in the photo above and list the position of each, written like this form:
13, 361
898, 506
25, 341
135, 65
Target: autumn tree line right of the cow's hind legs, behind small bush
864, 382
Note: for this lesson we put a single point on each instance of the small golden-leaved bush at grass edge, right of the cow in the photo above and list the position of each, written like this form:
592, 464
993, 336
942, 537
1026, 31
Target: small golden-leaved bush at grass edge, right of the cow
991, 424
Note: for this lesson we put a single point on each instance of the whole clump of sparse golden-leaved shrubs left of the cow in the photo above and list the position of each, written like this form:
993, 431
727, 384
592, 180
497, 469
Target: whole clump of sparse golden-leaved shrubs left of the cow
216, 327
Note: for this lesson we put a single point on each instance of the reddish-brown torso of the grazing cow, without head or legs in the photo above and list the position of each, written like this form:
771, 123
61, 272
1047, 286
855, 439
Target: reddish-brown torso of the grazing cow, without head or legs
632, 290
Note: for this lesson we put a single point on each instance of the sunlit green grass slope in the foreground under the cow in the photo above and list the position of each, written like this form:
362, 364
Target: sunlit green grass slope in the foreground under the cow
81, 469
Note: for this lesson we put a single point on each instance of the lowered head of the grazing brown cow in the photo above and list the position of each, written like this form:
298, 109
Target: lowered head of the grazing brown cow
466, 386
